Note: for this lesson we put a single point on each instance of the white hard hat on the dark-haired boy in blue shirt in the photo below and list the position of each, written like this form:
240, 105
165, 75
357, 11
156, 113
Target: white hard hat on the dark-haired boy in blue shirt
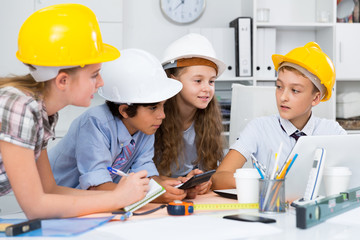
136, 77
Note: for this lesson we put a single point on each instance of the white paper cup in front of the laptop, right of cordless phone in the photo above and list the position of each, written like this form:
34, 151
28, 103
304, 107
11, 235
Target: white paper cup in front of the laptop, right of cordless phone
336, 180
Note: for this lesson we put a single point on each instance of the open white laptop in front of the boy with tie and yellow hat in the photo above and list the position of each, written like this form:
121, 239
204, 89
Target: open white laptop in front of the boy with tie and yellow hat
341, 150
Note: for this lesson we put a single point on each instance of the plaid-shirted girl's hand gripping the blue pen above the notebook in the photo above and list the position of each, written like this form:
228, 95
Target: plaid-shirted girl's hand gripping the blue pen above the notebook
133, 188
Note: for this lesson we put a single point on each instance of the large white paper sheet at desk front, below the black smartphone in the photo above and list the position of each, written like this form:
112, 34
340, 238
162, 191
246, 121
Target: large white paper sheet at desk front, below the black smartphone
197, 227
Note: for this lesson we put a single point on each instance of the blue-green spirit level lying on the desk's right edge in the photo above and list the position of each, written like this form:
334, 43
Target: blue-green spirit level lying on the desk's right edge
316, 212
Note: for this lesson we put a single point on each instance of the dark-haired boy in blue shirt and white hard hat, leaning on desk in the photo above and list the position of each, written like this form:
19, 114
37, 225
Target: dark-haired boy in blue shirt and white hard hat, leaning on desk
120, 133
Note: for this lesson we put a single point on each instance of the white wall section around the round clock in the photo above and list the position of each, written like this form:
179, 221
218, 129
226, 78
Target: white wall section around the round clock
144, 26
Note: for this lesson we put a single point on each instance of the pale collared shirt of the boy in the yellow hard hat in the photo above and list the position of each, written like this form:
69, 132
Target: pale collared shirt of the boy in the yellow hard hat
262, 136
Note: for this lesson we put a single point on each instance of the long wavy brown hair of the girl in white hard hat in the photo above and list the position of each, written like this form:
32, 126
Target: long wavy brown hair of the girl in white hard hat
169, 137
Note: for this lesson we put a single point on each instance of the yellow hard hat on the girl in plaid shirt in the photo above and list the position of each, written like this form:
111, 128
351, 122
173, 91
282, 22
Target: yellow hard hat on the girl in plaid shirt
63, 35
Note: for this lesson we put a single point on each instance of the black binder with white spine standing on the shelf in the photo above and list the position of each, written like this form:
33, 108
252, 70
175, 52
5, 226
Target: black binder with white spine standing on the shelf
243, 46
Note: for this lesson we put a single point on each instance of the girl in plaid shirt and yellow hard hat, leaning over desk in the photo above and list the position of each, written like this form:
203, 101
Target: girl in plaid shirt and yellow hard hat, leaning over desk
64, 63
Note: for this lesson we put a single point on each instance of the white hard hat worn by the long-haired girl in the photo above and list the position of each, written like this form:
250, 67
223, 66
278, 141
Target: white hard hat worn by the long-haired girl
190, 46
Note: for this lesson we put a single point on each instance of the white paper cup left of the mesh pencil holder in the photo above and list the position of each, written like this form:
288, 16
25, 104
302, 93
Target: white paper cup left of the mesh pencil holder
247, 185
